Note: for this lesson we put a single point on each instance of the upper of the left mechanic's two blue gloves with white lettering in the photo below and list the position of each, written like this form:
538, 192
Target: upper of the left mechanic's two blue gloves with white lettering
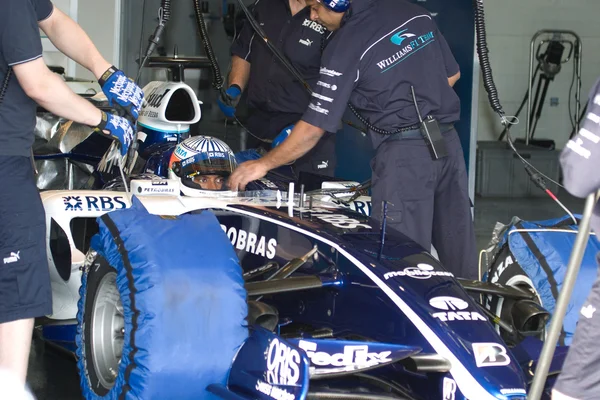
122, 90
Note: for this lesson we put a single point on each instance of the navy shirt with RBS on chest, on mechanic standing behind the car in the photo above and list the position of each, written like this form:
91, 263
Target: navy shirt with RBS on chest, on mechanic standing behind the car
271, 87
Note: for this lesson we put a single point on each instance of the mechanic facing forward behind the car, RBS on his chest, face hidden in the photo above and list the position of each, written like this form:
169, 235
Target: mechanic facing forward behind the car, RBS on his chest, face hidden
275, 99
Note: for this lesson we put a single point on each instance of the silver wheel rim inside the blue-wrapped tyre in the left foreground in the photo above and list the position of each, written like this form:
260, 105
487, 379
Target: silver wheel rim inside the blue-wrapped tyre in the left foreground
107, 330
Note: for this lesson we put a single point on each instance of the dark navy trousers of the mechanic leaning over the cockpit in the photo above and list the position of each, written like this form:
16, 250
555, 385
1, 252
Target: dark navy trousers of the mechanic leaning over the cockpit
429, 199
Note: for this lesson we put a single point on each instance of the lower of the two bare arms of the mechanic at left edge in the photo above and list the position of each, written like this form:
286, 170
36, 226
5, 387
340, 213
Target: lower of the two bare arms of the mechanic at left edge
49, 91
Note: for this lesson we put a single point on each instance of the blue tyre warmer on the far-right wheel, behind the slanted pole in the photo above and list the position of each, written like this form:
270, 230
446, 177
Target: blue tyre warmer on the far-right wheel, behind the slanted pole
544, 256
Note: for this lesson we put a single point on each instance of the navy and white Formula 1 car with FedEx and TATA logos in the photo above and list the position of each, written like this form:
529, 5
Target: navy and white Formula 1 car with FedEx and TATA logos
336, 304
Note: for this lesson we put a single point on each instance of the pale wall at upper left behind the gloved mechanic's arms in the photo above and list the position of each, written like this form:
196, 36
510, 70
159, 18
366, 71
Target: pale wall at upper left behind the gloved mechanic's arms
102, 24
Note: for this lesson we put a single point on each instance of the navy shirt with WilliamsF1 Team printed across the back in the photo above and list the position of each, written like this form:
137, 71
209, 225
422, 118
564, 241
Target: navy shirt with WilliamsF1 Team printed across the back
382, 48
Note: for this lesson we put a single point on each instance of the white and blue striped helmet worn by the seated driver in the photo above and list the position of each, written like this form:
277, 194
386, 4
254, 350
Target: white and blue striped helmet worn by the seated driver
203, 165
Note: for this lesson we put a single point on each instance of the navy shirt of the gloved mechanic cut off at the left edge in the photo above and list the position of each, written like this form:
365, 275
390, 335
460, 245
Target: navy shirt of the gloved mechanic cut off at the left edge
20, 42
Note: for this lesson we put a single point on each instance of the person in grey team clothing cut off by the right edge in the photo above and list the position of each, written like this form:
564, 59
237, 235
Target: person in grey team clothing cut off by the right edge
579, 378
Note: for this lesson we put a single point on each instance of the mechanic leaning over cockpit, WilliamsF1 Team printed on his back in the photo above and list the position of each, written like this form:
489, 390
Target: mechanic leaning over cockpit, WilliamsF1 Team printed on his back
380, 48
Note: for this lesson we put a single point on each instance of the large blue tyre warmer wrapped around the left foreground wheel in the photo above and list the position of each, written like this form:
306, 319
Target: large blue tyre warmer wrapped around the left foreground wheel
184, 303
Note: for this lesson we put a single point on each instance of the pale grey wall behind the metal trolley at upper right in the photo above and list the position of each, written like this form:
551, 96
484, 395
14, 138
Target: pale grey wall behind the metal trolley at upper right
511, 25
